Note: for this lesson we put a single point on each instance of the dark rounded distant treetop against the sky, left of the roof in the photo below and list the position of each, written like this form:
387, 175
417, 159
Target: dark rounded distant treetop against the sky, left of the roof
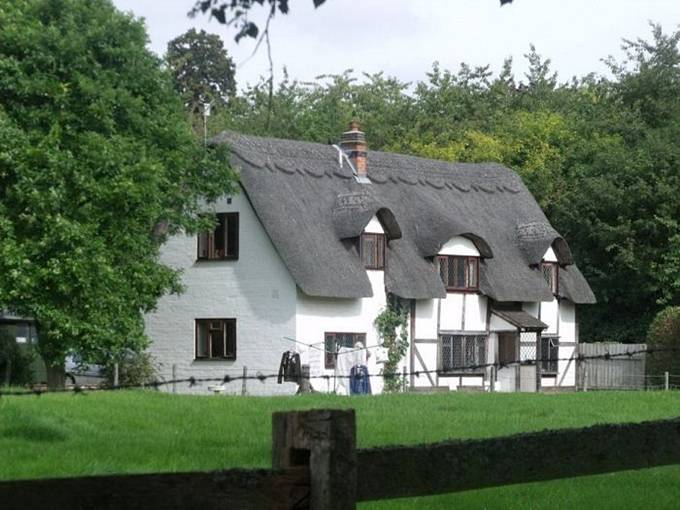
202, 70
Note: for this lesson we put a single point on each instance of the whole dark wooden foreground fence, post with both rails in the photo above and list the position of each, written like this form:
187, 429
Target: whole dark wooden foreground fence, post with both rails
315, 463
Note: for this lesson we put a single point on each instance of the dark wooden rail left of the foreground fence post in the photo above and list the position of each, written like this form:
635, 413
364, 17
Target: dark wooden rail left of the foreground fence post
236, 488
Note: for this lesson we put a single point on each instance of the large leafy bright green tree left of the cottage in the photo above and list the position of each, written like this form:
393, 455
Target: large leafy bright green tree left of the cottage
97, 165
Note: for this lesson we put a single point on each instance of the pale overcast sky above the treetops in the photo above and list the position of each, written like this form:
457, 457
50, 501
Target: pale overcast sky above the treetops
404, 37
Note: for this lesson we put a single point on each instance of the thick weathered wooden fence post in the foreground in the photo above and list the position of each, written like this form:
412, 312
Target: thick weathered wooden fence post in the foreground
325, 440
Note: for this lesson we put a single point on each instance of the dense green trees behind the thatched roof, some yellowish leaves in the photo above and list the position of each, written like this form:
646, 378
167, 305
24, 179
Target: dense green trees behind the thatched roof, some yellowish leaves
601, 155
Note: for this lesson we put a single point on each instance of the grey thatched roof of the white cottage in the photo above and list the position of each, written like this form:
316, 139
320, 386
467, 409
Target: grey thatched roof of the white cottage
309, 205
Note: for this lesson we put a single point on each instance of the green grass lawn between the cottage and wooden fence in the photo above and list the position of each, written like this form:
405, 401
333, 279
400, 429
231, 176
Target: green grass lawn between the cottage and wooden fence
137, 432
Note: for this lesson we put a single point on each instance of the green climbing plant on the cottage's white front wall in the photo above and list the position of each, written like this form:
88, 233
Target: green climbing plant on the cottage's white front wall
392, 326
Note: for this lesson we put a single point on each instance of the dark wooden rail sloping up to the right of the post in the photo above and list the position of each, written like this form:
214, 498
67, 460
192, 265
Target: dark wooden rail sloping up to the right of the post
409, 471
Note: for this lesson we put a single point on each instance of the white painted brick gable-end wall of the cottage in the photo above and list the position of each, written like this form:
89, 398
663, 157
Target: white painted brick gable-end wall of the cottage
256, 289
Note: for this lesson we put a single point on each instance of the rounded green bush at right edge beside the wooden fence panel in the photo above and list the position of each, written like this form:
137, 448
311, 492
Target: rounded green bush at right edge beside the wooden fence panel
664, 334
